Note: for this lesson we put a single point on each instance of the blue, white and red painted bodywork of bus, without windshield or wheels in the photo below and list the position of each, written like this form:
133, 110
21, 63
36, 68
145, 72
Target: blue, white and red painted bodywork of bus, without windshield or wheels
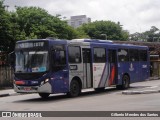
84, 68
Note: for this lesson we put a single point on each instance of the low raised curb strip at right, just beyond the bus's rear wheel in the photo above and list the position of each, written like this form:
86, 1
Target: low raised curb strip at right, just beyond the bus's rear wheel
140, 92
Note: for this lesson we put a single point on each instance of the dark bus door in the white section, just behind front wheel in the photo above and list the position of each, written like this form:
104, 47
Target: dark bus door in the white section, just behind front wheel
87, 68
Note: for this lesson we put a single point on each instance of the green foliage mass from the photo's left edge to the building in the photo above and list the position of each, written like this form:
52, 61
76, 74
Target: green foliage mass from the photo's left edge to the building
30, 23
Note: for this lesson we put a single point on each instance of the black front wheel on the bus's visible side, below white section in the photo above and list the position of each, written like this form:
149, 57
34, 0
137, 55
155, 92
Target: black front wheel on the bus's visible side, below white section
75, 87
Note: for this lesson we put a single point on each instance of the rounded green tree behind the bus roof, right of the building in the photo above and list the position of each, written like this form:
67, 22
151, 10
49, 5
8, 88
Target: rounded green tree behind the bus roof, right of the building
102, 29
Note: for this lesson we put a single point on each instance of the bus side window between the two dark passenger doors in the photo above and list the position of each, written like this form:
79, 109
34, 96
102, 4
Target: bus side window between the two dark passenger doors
99, 55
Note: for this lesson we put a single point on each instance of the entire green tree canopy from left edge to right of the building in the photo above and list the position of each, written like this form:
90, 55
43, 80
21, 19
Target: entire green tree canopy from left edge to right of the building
36, 23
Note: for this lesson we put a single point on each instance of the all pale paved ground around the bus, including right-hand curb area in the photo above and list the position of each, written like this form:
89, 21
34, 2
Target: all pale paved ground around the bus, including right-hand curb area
141, 96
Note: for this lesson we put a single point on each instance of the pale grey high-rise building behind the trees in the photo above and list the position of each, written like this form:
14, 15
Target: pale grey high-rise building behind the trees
76, 21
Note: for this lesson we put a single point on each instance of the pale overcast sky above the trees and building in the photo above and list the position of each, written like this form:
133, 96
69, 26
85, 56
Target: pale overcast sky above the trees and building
134, 15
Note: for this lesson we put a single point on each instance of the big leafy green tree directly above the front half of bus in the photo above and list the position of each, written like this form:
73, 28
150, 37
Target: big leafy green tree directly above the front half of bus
37, 23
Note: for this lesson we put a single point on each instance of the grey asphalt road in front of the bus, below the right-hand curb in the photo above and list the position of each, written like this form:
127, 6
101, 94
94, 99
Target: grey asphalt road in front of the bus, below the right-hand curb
109, 100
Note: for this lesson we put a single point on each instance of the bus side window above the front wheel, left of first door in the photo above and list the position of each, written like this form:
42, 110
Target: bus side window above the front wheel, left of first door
74, 54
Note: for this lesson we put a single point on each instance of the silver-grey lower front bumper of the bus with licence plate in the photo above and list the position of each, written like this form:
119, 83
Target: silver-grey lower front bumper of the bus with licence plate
45, 88
